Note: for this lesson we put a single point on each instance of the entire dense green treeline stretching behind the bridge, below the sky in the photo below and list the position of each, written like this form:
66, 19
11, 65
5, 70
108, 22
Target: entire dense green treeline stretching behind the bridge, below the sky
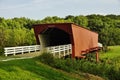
18, 31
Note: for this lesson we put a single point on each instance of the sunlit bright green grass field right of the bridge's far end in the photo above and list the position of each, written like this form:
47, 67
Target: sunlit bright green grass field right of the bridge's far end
112, 57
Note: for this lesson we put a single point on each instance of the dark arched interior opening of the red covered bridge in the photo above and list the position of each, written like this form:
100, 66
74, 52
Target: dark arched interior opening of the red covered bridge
54, 37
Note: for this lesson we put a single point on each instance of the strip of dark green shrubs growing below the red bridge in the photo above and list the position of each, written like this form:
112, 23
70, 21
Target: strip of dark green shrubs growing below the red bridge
103, 69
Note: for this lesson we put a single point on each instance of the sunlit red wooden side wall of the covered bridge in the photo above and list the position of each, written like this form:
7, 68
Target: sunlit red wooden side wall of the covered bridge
84, 40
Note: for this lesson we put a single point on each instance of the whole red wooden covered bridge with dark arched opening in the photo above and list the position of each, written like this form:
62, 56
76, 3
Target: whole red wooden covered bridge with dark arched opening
82, 40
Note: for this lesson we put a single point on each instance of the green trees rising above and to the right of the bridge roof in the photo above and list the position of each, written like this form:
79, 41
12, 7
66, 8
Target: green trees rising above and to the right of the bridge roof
108, 26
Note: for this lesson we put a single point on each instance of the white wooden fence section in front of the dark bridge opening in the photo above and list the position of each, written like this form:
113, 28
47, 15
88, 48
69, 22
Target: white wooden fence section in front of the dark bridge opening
61, 50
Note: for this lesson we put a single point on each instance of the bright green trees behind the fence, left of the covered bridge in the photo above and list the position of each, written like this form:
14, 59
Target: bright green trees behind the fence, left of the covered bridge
16, 32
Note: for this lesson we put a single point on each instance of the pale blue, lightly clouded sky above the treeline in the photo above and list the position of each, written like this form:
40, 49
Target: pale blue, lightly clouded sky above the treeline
39, 9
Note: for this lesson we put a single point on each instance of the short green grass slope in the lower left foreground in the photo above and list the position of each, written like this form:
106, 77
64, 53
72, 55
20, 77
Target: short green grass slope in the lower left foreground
31, 69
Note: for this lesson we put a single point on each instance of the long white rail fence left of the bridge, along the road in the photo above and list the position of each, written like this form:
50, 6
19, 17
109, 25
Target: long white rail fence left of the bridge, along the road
21, 49
